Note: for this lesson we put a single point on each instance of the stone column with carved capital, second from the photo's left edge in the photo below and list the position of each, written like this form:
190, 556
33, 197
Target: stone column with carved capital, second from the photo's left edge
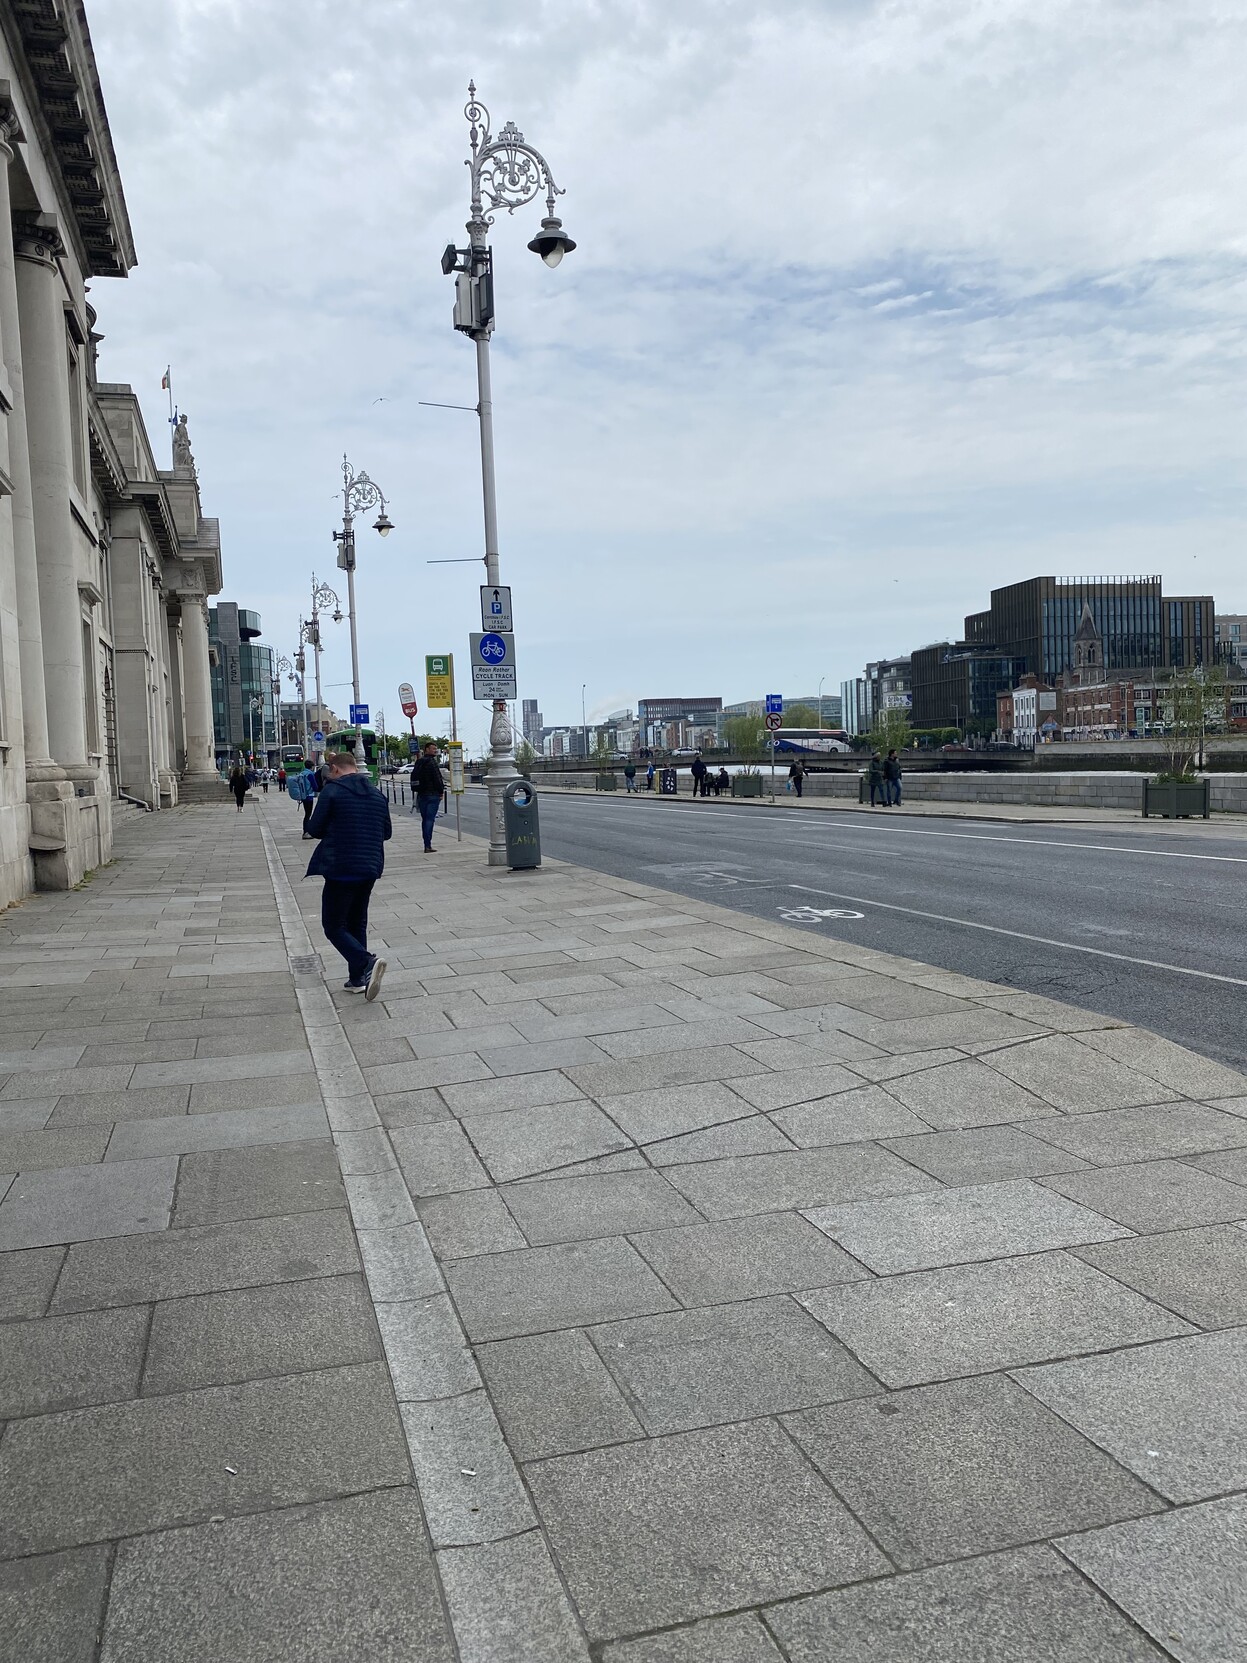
47, 403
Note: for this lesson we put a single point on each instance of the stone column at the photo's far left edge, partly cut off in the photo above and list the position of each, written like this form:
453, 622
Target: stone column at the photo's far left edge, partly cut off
41, 767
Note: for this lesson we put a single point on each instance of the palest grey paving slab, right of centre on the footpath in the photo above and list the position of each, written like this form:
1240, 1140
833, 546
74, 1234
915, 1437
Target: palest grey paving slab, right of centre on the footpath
955, 1226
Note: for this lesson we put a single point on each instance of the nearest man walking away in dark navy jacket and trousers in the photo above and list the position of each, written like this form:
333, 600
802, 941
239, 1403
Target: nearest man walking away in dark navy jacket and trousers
352, 822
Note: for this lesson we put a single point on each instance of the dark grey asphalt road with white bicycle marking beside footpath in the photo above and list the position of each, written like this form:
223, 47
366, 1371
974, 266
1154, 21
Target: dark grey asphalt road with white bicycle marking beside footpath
1145, 924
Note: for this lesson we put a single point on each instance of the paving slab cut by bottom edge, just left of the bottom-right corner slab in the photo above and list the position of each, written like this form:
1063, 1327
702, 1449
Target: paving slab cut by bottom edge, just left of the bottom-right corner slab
1018, 1607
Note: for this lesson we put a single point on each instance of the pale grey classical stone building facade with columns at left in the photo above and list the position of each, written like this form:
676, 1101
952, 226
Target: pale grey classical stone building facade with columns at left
106, 560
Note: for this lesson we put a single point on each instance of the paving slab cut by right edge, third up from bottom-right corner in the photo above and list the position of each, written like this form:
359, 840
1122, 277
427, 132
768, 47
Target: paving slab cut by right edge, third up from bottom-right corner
1198, 1273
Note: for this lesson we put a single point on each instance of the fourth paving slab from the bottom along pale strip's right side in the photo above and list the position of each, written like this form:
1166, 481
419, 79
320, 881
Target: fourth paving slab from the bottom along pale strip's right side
554, 1288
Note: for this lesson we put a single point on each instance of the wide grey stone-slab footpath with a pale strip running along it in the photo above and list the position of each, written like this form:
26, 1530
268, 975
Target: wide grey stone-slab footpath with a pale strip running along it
636, 1283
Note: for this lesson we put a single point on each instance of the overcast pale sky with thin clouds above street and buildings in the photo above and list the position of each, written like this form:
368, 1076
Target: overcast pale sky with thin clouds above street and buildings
877, 303
